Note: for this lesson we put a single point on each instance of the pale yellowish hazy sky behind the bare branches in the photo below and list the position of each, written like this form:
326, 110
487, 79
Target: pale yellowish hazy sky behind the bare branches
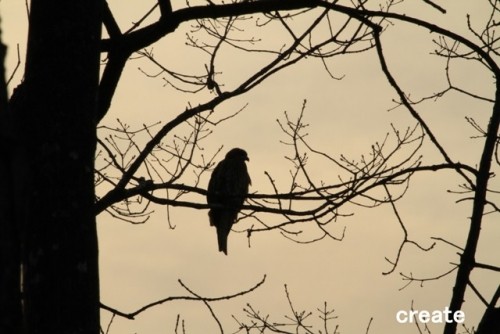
142, 263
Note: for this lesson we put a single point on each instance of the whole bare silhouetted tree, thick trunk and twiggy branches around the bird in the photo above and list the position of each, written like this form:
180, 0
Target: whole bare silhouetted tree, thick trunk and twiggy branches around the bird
48, 144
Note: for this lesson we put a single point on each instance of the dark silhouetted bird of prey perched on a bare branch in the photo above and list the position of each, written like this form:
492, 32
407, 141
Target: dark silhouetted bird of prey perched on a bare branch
227, 190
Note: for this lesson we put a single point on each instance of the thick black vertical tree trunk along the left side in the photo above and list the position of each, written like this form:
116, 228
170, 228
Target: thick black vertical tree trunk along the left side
51, 124
